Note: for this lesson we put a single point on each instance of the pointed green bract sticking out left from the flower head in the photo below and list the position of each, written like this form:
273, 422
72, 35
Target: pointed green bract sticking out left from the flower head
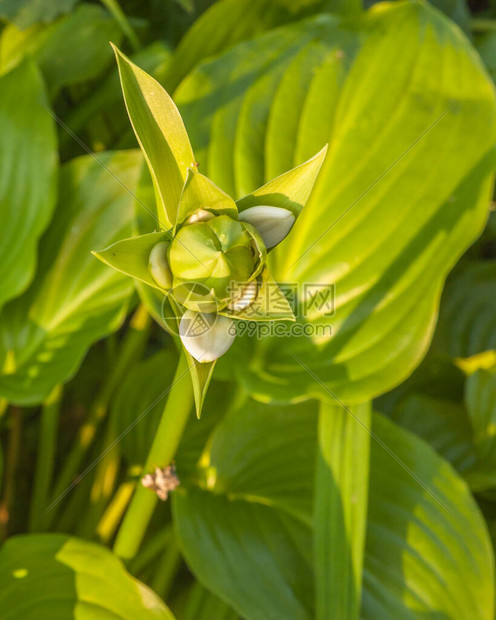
131, 256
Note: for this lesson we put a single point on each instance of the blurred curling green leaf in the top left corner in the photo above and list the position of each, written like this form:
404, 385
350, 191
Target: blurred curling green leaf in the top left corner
89, 29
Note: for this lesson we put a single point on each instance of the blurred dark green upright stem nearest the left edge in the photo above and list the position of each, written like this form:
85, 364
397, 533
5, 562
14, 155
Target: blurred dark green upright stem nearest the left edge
45, 458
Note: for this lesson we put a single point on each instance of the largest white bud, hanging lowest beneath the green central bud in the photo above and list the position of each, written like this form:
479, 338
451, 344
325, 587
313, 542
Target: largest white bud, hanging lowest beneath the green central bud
206, 336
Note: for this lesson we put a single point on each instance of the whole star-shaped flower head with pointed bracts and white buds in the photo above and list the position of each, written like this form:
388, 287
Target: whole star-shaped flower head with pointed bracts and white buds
210, 259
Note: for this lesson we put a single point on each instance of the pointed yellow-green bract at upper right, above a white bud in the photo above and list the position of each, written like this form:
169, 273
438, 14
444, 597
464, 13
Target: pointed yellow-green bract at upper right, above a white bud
290, 190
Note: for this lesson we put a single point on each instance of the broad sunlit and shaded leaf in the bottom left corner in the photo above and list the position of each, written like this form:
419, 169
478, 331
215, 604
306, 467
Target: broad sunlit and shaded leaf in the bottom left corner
56, 576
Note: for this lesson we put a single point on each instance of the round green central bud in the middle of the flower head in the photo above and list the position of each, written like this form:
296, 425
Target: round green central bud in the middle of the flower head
207, 257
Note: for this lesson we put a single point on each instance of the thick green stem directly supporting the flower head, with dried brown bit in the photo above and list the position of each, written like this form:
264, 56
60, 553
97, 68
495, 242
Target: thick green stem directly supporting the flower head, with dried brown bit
164, 446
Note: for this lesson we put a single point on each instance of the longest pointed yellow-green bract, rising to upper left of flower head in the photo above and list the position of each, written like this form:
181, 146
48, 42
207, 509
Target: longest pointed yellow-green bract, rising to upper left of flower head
161, 134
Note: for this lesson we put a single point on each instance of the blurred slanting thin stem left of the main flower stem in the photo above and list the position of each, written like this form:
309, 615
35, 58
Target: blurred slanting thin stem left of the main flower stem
131, 350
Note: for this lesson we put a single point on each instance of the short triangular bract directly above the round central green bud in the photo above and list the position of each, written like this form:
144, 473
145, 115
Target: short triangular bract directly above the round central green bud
200, 192
